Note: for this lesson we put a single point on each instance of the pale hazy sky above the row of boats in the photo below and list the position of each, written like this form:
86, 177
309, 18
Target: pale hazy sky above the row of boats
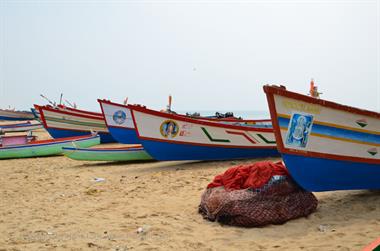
210, 55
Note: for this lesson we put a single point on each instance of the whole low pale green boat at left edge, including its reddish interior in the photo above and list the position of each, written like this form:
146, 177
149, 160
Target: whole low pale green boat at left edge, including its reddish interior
26, 146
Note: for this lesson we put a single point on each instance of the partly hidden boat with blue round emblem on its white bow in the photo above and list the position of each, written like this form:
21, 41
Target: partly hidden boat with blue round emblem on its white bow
120, 124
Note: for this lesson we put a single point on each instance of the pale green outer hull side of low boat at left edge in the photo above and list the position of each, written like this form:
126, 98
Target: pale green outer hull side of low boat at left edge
47, 149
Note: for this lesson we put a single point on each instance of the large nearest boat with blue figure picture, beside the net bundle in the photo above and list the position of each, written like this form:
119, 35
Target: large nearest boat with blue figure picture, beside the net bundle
325, 145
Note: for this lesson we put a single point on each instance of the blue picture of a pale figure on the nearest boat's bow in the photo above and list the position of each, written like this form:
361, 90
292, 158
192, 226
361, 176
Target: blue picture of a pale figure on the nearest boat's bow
299, 130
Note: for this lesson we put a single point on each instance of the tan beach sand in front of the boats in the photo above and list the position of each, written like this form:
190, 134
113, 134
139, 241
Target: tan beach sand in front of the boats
53, 203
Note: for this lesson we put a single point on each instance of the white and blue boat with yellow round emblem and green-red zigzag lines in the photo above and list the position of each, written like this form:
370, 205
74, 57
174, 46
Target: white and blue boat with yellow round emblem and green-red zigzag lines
173, 137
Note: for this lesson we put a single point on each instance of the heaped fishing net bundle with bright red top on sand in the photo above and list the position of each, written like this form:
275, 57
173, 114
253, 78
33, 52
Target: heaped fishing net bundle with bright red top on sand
255, 195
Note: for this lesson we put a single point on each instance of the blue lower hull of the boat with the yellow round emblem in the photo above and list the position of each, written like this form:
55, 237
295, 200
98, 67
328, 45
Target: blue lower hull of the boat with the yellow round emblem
174, 151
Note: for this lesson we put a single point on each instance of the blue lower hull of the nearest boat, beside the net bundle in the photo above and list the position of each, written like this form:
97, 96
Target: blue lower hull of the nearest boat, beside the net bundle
317, 174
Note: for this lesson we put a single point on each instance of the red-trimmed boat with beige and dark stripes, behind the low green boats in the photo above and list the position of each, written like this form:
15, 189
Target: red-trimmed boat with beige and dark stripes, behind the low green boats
63, 122
